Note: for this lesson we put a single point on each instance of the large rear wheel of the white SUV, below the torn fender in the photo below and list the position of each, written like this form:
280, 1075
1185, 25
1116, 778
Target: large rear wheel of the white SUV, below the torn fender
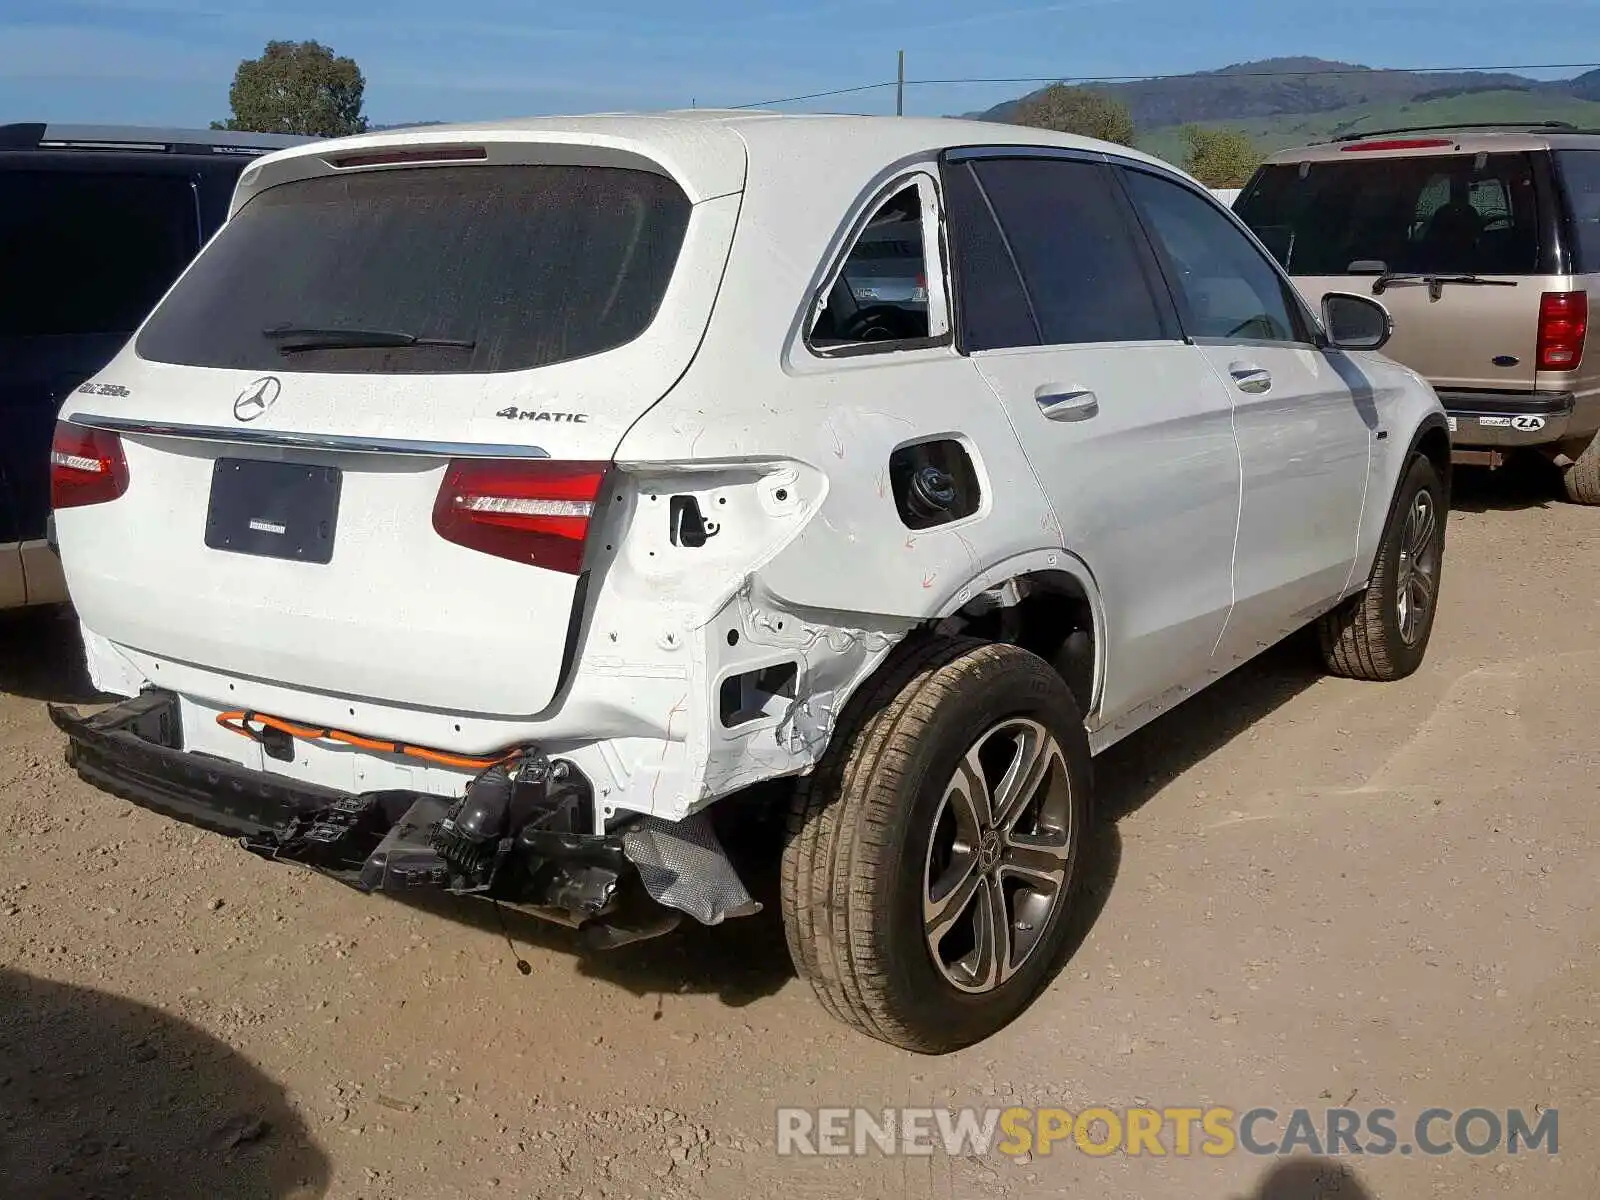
932, 855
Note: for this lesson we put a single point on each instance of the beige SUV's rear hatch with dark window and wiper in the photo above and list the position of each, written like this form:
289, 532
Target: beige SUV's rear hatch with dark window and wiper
1452, 244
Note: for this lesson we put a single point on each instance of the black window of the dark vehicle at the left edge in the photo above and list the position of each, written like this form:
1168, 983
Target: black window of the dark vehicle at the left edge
90, 252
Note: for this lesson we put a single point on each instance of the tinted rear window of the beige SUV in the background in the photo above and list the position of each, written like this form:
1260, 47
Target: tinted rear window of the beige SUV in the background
1465, 215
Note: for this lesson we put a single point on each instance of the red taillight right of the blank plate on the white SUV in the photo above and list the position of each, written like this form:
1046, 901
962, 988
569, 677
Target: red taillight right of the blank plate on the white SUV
529, 511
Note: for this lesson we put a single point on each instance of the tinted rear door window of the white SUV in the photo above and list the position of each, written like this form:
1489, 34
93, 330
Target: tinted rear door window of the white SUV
1068, 233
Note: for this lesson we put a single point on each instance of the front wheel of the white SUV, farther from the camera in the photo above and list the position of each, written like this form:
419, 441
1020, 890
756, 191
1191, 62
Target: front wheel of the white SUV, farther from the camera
1383, 634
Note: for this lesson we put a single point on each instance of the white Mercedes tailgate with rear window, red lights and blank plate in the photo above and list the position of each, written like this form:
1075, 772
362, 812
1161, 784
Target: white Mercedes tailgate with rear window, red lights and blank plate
366, 433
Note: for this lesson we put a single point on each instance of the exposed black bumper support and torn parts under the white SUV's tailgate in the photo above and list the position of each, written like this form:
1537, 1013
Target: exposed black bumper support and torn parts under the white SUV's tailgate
542, 855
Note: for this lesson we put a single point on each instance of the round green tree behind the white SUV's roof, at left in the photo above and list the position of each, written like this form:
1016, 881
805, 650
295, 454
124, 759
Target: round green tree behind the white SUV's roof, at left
297, 87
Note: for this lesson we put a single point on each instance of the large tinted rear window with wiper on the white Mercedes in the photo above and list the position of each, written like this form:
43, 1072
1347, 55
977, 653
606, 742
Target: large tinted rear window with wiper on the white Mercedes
486, 268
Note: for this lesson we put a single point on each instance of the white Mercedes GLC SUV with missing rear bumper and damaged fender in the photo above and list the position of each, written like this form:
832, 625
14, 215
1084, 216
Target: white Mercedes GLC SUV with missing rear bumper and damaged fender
487, 503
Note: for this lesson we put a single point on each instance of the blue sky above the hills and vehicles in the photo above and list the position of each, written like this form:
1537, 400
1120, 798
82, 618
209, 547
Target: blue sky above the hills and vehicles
170, 62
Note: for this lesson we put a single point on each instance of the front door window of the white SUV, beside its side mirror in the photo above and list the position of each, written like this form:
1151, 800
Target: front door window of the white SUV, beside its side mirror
1225, 286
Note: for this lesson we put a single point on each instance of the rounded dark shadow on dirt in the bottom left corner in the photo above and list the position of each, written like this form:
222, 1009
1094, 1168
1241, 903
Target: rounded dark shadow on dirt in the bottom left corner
102, 1097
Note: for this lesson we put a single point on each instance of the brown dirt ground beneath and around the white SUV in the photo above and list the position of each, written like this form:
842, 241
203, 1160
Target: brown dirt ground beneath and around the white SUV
1306, 892
